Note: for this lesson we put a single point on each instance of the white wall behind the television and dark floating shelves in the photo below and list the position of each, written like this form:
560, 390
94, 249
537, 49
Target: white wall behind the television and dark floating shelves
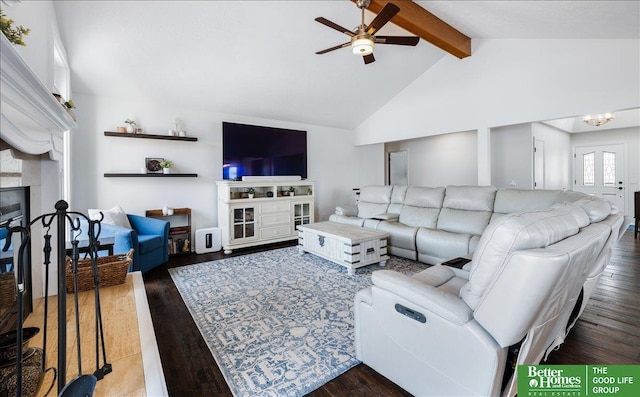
332, 158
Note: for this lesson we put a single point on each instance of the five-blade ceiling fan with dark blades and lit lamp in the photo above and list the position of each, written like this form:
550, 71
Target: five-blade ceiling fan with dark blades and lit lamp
363, 37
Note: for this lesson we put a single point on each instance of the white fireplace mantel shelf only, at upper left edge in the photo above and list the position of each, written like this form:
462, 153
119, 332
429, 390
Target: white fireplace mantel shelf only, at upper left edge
32, 120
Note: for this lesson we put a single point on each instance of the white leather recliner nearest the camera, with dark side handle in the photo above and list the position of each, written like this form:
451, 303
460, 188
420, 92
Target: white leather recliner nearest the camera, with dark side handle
447, 331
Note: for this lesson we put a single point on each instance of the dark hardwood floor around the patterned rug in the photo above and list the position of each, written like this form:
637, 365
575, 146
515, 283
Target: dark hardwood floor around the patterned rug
608, 332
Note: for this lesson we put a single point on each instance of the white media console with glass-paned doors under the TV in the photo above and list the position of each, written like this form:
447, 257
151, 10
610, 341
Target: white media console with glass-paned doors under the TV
278, 205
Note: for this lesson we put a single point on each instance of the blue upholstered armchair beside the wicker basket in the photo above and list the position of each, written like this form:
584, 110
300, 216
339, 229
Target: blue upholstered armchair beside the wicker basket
148, 237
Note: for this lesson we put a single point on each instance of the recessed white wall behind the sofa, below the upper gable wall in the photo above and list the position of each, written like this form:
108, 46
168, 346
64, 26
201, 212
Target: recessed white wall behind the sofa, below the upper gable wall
441, 160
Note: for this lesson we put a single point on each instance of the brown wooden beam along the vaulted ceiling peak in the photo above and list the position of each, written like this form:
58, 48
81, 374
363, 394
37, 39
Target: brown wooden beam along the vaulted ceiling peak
427, 26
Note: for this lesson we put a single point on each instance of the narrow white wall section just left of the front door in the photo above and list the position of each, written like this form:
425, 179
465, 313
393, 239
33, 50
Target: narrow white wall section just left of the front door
557, 156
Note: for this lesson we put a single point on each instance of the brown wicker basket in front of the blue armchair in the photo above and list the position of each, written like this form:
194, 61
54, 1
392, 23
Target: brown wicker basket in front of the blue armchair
112, 270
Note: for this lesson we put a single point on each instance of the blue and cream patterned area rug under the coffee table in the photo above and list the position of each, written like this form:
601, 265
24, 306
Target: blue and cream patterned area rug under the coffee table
278, 323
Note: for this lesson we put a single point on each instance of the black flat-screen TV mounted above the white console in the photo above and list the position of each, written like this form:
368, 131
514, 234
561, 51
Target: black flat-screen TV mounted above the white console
249, 150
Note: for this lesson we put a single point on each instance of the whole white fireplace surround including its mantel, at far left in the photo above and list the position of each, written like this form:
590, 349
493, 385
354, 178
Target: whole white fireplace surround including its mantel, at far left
33, 122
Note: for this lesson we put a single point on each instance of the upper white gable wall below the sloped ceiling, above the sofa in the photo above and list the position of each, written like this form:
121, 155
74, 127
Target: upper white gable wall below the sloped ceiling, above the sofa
508, 82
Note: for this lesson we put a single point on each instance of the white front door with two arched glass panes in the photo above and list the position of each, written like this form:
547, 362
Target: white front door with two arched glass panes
599, 171
